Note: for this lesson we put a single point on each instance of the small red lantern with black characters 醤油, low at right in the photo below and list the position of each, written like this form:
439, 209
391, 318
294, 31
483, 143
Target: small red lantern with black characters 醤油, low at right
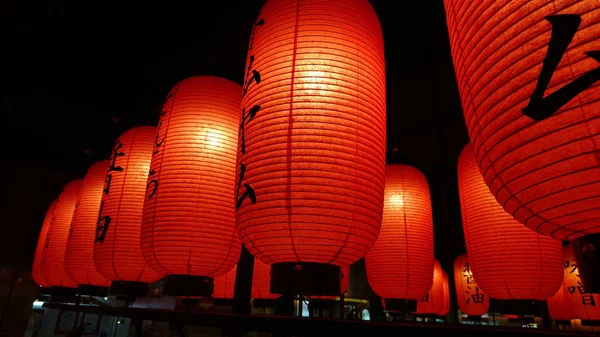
471, 300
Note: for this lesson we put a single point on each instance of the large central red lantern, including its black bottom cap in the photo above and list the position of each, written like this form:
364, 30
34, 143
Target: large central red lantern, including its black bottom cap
311, 155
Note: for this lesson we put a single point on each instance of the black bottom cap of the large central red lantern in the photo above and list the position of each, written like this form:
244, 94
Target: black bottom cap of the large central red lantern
305, 278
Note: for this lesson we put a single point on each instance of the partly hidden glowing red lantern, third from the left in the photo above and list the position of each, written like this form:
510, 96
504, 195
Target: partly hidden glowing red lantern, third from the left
79, 254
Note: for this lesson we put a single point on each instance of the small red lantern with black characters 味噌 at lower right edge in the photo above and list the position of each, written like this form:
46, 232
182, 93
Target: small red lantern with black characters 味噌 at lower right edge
585, 306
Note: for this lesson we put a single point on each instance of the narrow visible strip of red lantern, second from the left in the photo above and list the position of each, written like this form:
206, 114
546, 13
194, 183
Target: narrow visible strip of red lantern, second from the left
53, 257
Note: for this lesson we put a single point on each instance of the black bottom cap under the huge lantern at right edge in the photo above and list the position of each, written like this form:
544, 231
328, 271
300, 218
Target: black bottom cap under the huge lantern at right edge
587, 254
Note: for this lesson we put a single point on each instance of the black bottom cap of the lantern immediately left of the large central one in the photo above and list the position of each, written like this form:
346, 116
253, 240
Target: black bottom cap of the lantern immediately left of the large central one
188, 285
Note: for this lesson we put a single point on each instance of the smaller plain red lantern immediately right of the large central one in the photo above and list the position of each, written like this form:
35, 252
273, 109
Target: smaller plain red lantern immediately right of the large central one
400, 264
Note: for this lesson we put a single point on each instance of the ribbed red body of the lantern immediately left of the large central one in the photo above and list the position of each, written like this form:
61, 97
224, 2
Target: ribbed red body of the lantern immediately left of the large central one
188, 224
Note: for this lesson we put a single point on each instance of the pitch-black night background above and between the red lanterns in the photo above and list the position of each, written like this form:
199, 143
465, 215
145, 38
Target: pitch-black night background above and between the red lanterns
78, 74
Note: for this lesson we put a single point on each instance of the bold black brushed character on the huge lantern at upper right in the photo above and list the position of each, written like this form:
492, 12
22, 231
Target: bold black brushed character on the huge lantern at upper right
564, 27
